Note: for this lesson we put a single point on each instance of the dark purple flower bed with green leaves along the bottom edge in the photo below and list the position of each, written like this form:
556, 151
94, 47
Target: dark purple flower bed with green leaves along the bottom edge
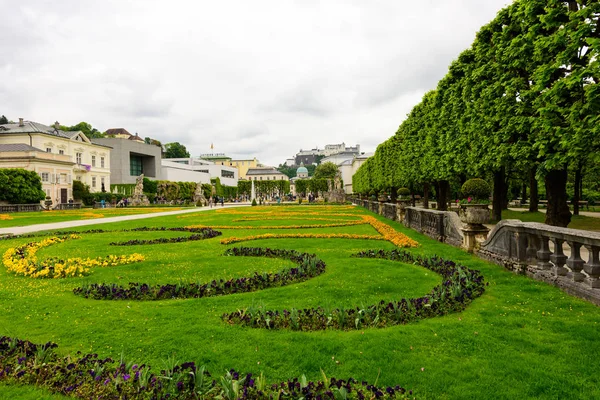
86, 376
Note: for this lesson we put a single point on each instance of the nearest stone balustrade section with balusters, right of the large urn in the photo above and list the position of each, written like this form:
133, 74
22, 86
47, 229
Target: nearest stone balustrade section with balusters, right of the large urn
538, 250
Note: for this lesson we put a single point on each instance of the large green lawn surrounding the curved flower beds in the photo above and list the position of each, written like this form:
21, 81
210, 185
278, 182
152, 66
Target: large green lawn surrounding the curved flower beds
521, 339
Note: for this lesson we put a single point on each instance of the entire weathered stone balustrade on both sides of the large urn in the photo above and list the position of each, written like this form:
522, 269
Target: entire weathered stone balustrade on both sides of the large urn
522, 247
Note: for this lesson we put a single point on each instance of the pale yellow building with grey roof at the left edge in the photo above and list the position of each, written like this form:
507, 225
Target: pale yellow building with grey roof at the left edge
59, 157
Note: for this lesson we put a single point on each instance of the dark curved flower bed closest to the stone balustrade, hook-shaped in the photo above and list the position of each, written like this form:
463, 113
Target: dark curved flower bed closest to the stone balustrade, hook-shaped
460, 286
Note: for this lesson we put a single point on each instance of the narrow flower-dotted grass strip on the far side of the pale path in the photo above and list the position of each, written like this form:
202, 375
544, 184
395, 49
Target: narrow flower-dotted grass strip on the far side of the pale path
46, 217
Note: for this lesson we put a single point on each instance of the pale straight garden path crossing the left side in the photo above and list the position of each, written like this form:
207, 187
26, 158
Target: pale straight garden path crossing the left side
20, 230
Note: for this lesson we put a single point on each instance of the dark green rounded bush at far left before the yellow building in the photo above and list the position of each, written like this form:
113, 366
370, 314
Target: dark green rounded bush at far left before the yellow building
19, 186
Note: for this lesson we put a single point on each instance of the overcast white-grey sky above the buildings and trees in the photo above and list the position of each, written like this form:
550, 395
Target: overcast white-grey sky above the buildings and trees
262, 78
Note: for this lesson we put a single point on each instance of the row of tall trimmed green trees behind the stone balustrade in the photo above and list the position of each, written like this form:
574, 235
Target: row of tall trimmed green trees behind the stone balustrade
522, 100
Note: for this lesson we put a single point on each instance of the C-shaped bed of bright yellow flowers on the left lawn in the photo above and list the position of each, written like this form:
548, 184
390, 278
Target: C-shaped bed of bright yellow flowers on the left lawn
22, 260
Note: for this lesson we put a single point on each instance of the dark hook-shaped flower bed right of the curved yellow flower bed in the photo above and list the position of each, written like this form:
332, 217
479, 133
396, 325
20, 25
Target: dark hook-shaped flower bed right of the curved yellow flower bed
308, 266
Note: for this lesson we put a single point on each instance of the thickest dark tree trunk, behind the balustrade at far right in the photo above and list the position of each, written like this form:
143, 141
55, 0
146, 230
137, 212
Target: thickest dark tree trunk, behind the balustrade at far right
558, 213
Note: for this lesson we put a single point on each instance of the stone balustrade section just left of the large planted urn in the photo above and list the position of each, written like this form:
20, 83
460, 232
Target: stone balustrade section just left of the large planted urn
444, 226
